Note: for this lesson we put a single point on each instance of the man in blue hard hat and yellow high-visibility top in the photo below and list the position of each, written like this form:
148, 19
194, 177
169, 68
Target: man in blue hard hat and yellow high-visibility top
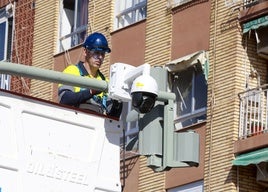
94, 49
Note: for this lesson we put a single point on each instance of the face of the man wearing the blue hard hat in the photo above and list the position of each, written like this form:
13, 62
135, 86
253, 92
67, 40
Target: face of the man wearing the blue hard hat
94, 58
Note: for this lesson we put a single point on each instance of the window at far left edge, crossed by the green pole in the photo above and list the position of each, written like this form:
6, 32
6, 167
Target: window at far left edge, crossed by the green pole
5, 44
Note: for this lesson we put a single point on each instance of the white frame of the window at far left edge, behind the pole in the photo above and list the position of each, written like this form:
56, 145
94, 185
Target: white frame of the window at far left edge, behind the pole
4, 18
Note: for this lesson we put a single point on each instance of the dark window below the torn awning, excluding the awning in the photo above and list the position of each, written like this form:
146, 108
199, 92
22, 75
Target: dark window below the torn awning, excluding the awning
191, 92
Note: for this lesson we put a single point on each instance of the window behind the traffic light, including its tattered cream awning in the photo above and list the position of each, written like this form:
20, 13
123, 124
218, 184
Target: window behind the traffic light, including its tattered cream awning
188, 81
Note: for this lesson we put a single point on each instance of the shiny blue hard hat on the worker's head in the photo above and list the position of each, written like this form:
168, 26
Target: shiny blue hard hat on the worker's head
97, 42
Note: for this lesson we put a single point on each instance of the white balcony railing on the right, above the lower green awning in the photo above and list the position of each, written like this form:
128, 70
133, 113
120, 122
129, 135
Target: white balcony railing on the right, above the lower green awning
253, 112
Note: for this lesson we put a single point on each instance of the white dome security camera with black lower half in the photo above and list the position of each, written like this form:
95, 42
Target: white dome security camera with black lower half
144, 93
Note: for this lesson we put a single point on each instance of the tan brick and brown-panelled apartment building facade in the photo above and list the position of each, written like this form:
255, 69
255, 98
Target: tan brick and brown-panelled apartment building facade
170, 31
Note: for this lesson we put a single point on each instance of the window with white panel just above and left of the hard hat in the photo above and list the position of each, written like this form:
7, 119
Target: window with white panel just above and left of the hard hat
73, 23
